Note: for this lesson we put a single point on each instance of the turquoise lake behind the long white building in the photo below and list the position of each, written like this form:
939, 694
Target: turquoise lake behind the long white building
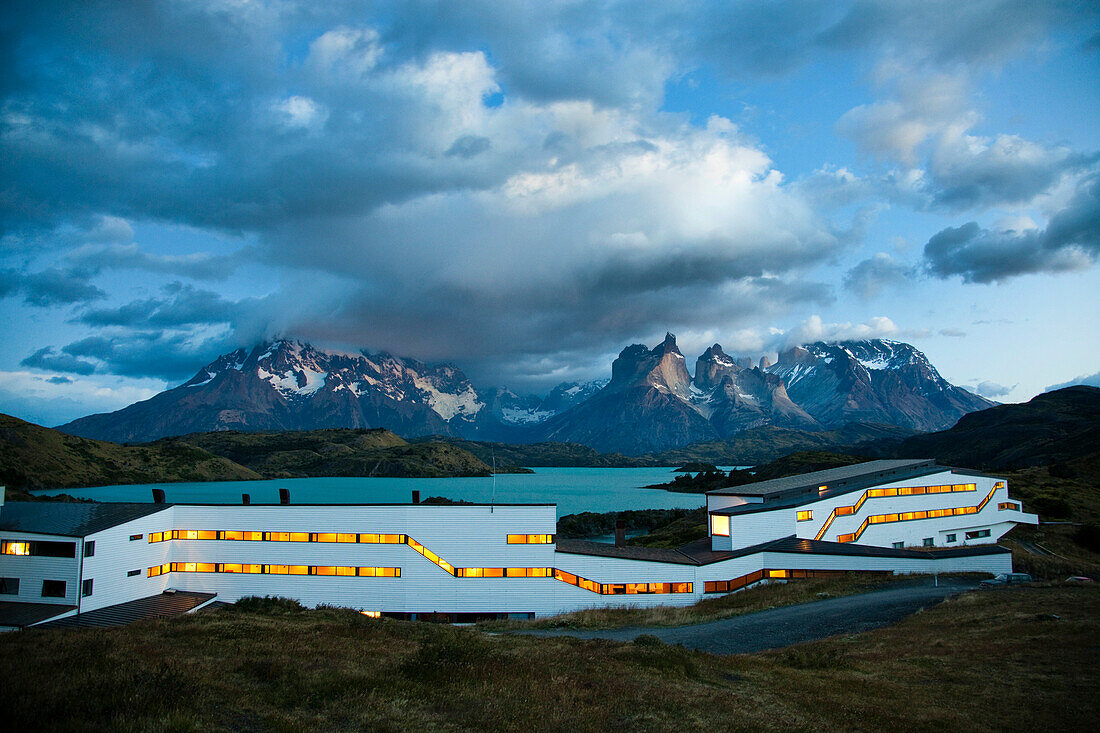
573, 489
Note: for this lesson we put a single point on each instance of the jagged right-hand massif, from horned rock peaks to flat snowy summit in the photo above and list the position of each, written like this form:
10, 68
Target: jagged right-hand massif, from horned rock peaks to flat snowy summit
653, 403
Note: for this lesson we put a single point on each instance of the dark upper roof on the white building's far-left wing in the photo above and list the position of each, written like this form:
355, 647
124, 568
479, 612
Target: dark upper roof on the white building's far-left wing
71, 520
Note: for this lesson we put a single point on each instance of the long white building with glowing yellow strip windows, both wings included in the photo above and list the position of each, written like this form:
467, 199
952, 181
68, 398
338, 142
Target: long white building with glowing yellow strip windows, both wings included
75, 564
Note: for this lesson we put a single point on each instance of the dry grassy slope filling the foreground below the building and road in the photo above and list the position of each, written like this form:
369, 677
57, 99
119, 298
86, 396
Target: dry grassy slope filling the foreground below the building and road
1009, 660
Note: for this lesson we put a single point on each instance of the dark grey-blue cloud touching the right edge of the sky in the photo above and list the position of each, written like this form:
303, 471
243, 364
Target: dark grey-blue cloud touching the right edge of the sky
1071, 242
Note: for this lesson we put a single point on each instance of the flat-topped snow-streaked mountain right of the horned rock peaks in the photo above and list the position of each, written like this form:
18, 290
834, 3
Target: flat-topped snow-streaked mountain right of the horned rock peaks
873, 381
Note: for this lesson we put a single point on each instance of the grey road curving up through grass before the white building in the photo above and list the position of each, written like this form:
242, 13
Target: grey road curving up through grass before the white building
794, 625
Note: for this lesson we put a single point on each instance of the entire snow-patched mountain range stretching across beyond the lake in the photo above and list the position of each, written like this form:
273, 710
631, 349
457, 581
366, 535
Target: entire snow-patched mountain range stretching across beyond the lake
652, 402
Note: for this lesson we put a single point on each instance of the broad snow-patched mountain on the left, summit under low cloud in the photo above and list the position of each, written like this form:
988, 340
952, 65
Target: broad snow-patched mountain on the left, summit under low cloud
291, 386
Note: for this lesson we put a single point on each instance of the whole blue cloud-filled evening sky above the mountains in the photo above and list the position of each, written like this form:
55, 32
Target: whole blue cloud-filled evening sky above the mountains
523, 189
